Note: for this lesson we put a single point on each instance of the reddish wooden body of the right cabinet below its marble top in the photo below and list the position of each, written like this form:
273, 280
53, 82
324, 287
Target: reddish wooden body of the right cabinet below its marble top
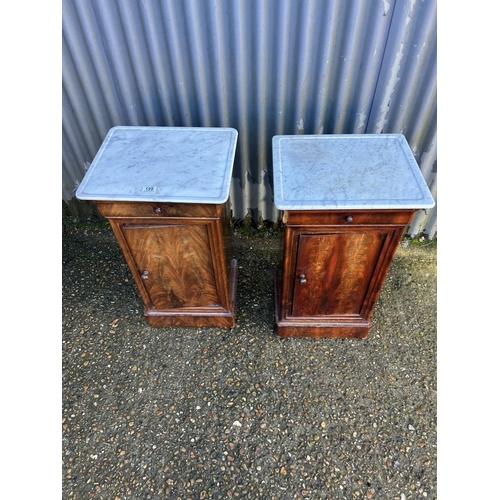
333, 268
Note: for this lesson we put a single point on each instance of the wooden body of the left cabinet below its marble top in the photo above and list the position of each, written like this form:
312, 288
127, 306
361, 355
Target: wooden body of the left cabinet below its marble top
181, 259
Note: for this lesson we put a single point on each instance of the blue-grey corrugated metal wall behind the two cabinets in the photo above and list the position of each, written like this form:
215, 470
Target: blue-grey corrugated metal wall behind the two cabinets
264, 67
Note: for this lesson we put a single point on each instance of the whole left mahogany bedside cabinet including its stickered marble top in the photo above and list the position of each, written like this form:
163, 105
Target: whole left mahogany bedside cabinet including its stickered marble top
165, 193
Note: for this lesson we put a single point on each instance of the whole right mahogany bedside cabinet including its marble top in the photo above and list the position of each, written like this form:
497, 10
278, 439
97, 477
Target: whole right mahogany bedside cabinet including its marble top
346, 201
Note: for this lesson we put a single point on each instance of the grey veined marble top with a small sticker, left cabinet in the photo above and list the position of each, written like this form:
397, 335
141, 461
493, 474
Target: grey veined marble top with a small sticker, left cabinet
177, 164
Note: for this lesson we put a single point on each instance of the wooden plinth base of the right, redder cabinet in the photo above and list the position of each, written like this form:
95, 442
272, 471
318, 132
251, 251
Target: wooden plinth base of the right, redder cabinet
317, 327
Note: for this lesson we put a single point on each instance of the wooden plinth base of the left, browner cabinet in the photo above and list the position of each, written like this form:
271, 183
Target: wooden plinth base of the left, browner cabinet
215, 316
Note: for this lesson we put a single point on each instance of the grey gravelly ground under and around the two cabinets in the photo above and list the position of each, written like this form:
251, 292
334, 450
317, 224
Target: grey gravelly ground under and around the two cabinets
193, 413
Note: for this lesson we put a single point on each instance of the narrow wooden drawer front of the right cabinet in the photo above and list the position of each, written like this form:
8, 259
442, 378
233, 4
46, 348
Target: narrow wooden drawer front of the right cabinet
347, 217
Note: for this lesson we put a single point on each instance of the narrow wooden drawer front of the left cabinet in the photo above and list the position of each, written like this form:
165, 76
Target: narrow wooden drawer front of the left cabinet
155, 210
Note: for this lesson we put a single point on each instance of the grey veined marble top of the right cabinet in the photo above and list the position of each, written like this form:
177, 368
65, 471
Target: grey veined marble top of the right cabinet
352, 171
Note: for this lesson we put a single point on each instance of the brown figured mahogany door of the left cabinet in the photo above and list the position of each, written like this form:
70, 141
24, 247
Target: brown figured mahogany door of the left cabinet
175, 264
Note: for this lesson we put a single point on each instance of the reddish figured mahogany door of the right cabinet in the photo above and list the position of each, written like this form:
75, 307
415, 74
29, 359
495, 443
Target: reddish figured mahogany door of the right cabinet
333, 272
